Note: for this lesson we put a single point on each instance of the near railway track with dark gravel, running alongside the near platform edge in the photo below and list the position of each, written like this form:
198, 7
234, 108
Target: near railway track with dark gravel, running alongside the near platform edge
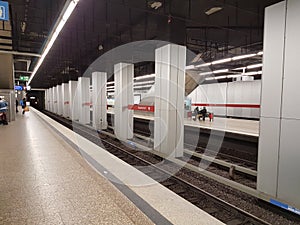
226, 212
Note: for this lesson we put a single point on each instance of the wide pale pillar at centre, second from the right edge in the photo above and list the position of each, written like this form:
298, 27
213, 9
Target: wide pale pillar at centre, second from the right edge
170, 62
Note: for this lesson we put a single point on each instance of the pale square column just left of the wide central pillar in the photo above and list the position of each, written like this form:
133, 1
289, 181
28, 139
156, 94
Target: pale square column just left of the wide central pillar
123, 97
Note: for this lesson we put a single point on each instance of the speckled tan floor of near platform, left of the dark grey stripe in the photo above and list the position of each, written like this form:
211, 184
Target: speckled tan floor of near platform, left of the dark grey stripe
44, 181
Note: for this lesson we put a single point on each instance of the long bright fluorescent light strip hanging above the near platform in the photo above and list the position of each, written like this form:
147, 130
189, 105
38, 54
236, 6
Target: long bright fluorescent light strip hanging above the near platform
54, 34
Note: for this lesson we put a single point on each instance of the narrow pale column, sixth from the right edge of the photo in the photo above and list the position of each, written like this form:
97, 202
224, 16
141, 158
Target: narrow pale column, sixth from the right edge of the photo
74, 104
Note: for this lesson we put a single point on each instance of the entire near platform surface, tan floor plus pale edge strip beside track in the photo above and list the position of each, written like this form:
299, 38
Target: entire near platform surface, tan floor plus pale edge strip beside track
44, 180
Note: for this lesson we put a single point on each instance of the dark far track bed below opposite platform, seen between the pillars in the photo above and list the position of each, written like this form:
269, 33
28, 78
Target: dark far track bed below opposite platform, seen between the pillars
239, 150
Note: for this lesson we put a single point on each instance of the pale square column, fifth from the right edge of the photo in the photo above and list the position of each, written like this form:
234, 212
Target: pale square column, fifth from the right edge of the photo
84, 100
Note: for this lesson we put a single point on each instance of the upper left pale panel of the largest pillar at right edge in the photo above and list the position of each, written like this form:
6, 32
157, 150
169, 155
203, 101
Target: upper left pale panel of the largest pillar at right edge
273, 60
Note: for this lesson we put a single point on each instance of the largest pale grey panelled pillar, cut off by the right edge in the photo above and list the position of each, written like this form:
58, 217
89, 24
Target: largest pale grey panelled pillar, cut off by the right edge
278, 154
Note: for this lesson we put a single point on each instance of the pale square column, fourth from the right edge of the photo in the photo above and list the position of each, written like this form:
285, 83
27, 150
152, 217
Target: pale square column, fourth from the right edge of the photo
99, 80
